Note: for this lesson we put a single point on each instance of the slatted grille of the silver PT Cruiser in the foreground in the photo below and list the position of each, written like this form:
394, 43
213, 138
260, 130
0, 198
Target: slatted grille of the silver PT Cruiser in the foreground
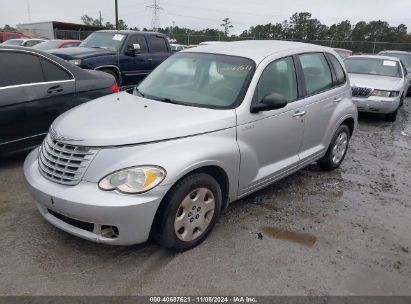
64, 163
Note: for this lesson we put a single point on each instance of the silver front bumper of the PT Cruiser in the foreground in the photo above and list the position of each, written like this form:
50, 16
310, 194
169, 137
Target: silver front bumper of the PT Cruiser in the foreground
88, 212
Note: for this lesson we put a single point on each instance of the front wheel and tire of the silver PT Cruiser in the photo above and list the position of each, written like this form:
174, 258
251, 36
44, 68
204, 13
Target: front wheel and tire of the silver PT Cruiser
188, 213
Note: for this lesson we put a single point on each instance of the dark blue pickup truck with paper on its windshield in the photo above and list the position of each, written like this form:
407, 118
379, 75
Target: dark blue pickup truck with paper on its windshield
127, 55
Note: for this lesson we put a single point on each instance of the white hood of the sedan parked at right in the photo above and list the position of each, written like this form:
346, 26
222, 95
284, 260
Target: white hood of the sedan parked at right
375, 82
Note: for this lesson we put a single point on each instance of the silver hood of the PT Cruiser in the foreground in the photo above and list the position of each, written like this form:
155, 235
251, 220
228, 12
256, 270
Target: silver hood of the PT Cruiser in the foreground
124, 119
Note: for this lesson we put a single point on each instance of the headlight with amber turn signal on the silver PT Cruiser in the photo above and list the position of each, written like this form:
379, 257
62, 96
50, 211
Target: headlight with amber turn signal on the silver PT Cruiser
133, 180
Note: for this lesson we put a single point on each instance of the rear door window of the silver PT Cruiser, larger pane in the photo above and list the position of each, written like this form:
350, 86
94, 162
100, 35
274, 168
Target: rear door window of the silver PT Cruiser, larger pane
317, 73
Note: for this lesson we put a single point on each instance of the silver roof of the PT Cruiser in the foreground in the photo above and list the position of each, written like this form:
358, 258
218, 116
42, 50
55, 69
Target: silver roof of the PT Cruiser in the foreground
256, 50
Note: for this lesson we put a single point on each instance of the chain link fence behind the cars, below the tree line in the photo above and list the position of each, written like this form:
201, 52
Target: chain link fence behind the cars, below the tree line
369, 47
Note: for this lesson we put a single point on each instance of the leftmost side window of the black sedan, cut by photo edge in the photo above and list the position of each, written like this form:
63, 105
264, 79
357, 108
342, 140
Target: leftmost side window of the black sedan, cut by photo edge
19, 68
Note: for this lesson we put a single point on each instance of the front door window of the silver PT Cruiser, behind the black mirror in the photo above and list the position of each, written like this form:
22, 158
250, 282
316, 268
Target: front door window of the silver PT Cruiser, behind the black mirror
278, 77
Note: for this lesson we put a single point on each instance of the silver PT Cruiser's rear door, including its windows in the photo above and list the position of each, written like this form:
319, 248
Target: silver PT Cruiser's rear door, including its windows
324, 89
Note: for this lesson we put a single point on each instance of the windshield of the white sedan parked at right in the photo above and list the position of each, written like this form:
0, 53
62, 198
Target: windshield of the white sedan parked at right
373, 66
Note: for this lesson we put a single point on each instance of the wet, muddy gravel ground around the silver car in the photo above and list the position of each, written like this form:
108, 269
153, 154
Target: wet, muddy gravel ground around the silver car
345, 232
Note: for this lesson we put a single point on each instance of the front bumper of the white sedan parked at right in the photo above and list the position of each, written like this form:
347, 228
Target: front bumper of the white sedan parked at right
375, 104
